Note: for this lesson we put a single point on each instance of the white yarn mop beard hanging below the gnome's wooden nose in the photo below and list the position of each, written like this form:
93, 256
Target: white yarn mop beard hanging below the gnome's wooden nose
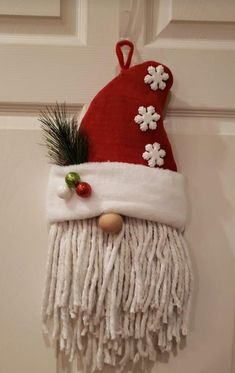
109, 299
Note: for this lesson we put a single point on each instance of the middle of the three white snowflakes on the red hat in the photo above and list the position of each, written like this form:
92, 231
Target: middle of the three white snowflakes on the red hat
147, 118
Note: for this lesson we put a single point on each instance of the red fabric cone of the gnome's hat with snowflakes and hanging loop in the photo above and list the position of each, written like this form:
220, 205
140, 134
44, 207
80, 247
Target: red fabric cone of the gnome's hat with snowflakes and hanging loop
125, 119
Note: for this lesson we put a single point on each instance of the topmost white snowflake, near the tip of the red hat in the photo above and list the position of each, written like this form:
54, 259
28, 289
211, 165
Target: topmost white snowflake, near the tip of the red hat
156, 77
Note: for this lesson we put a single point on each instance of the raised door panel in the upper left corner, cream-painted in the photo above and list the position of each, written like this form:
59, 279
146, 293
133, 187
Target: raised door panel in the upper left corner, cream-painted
61, 23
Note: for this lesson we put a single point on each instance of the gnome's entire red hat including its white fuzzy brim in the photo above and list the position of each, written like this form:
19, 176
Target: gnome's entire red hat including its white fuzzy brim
130, 167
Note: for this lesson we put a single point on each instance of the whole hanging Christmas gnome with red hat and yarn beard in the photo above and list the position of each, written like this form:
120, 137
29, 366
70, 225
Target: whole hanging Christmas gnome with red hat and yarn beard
118, 279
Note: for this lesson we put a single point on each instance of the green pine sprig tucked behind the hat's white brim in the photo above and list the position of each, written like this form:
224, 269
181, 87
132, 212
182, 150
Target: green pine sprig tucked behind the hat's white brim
66, 144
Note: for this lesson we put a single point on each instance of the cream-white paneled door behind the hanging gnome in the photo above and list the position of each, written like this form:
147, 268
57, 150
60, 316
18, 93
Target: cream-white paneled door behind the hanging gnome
64, 51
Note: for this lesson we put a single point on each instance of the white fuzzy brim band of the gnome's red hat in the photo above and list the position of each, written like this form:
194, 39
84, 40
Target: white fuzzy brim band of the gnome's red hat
128, 189
